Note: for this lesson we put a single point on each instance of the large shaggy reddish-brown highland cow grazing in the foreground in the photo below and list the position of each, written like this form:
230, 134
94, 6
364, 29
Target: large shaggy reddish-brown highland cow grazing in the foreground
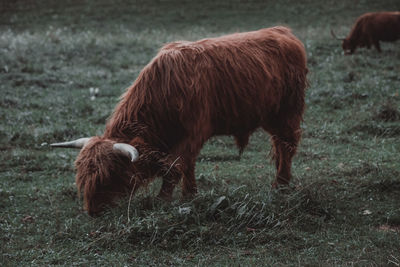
189, 92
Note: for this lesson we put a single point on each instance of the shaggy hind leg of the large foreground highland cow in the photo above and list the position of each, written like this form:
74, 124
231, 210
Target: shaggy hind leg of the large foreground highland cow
286, 135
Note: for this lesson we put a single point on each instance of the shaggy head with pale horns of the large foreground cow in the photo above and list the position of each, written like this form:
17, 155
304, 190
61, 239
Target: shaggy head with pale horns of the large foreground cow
103, 168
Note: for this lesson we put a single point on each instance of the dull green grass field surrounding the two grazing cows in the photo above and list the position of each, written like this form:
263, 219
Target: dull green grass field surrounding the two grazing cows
343, 207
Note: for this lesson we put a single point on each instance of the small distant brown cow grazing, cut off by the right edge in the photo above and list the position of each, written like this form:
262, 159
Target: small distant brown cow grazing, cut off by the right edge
371, 28
